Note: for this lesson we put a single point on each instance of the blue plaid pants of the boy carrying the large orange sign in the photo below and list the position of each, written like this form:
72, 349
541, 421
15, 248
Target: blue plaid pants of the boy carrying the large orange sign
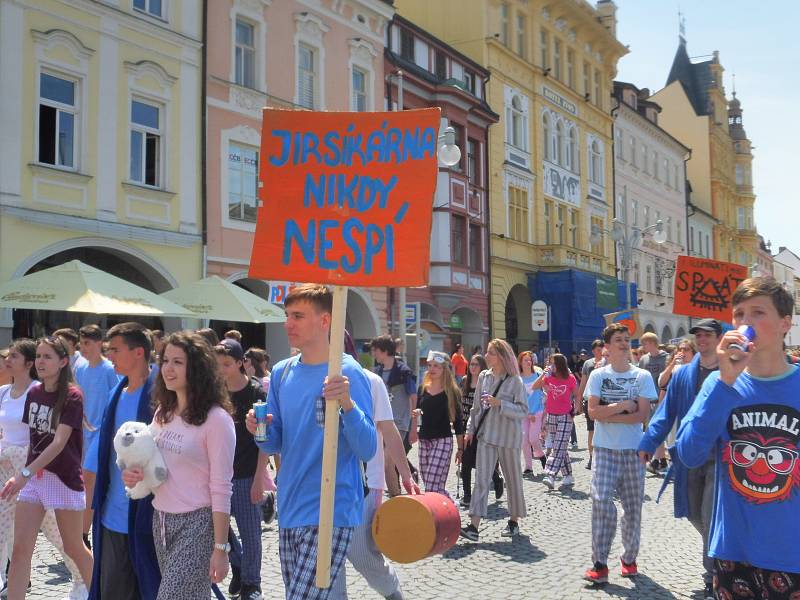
297, 547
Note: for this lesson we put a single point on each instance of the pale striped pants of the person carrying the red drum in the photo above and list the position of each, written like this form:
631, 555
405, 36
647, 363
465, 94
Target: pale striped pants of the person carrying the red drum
365, 557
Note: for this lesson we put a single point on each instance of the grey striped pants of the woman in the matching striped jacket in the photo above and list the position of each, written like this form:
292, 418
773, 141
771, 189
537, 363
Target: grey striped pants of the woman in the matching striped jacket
485, 461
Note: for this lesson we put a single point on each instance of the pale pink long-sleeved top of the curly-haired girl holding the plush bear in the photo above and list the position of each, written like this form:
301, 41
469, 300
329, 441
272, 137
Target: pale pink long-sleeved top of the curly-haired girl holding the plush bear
199, 464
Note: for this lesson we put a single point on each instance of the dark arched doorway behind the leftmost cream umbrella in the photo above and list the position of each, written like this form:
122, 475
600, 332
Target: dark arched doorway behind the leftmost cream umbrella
115, 259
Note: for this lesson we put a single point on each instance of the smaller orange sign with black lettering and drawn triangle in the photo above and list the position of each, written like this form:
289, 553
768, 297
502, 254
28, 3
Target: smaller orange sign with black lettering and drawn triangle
703, 287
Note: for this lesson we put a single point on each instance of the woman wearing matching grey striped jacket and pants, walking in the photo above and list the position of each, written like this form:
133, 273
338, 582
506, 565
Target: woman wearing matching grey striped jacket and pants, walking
499, 407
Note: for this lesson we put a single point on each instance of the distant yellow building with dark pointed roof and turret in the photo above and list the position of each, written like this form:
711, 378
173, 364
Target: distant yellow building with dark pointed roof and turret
696, 111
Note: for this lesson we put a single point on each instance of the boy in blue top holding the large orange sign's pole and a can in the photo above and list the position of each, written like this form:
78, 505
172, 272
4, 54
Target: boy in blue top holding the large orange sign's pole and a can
296, 413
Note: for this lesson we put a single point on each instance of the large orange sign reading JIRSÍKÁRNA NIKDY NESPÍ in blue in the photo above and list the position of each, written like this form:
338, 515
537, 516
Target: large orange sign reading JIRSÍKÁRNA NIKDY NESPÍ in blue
347, 198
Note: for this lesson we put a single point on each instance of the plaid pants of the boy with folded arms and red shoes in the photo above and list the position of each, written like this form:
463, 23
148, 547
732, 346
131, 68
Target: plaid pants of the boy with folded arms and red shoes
618, 470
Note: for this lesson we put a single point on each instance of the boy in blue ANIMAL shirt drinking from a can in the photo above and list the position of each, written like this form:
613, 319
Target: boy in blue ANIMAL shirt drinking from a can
748, 414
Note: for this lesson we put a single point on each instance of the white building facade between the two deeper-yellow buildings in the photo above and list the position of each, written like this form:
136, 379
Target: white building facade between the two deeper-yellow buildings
650, 183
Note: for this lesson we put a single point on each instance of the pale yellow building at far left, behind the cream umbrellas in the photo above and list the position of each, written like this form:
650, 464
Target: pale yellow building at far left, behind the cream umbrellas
101, 143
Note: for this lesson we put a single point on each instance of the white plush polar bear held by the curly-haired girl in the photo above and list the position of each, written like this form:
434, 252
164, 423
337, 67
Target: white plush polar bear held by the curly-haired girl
136, 447
